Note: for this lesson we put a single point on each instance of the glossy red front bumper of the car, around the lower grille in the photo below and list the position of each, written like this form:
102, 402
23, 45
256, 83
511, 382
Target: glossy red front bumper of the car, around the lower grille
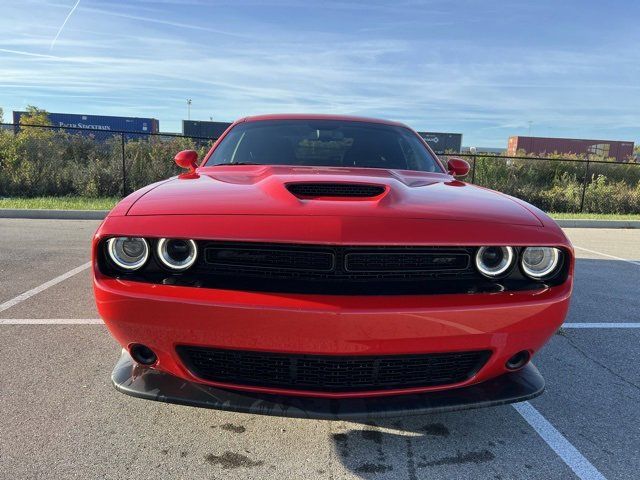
163, 317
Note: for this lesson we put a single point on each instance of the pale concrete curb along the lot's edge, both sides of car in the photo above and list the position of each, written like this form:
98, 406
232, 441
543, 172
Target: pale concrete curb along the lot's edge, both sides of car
100, 214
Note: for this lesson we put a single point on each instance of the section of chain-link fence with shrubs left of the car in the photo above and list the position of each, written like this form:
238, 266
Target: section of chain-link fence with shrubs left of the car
54, 161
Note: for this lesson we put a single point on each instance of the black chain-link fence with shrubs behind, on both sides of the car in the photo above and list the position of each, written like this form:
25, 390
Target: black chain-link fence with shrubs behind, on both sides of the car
54, 161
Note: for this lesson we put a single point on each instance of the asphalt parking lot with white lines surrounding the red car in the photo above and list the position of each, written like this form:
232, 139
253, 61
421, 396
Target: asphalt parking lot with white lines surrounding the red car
61, 418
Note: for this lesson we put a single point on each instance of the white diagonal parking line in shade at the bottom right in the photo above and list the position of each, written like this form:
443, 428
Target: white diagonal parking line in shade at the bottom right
567, 452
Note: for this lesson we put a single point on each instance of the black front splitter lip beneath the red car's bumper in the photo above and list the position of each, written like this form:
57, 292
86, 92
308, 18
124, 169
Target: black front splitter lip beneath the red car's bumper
135, 380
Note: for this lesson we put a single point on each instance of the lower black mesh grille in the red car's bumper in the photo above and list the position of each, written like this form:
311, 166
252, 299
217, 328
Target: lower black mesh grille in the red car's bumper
330, 373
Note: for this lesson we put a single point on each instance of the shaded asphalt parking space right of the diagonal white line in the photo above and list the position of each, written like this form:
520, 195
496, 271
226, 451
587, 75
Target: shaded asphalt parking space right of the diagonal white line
593, 392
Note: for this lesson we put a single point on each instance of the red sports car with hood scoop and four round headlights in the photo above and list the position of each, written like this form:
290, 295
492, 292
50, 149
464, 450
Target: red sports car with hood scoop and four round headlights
328, 267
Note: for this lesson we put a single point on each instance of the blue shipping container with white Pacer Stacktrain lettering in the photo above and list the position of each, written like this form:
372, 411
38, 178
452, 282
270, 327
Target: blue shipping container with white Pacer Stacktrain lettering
98, 123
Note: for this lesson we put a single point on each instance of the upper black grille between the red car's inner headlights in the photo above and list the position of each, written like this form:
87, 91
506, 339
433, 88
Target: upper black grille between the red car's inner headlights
339, 270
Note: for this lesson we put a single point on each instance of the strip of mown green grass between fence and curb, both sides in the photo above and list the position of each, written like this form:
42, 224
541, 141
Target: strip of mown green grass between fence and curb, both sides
107, 203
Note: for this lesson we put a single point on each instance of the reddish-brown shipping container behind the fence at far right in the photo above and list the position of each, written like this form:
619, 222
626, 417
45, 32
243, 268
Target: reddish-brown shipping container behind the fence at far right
620, 151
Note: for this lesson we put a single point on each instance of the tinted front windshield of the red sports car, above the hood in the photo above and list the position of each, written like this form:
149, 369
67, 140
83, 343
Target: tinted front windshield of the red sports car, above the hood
324, 143
